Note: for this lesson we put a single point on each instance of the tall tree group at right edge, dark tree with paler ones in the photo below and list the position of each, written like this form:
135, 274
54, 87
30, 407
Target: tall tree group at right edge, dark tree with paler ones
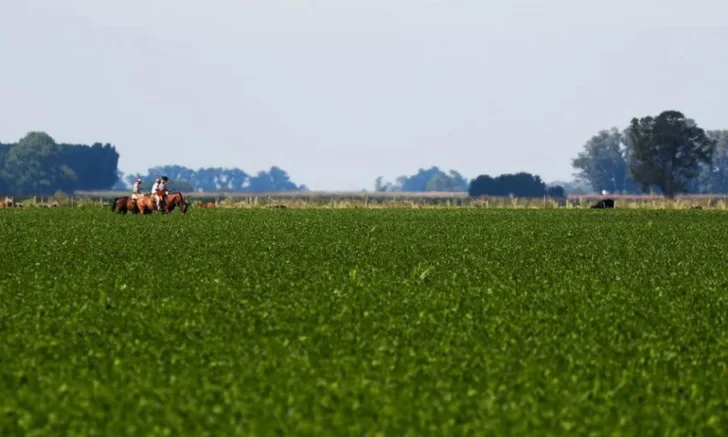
667, 154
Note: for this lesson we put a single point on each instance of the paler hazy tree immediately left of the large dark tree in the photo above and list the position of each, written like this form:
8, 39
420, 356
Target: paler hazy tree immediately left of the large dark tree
602, 163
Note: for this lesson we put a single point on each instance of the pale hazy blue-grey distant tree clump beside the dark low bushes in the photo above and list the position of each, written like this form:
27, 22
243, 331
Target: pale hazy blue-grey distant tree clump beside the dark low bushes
432, 179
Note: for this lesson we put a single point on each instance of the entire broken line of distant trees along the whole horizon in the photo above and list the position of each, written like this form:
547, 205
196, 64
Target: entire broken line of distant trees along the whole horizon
665, 154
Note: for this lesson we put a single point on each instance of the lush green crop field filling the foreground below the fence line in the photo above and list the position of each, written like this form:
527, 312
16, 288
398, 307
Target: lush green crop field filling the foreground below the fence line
364, 322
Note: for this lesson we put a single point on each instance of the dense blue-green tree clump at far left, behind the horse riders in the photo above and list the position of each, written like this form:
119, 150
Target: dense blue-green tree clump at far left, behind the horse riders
37, 165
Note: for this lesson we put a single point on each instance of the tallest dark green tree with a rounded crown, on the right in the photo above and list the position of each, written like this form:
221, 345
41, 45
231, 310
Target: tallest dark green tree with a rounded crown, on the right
667, 151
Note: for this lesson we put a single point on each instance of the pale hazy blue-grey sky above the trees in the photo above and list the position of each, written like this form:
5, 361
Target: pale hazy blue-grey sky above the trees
339, 92
